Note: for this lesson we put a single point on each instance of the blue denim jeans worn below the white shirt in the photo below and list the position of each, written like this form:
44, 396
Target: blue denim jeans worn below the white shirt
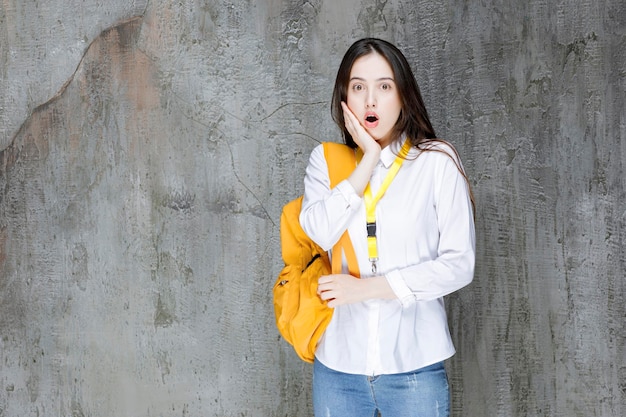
420, 393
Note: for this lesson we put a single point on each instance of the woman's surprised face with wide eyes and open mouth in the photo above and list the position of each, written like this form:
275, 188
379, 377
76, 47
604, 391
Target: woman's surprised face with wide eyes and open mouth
373, 96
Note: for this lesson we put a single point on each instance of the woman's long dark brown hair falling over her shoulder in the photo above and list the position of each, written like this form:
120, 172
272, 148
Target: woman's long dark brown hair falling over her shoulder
413, 119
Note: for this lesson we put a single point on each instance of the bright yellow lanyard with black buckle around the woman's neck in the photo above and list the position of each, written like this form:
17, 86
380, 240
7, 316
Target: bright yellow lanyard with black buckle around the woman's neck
370, 203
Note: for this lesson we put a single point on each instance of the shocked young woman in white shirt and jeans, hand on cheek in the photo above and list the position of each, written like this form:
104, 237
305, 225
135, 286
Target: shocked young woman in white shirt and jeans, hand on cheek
384, 349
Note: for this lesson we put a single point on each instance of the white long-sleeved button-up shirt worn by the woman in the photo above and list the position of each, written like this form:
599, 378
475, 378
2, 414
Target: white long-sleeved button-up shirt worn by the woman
426, 243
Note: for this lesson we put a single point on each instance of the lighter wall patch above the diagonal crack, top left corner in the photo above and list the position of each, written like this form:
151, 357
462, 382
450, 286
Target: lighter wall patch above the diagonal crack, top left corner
41, 44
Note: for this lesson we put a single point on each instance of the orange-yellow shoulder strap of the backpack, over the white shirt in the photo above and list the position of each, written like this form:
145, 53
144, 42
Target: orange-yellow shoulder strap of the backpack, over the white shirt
341, 161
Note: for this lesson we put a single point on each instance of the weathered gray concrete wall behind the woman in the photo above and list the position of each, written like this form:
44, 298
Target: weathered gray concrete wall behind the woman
146, 149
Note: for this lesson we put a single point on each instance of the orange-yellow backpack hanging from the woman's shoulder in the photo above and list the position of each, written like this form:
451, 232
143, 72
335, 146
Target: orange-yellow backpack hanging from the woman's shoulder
301, 315
